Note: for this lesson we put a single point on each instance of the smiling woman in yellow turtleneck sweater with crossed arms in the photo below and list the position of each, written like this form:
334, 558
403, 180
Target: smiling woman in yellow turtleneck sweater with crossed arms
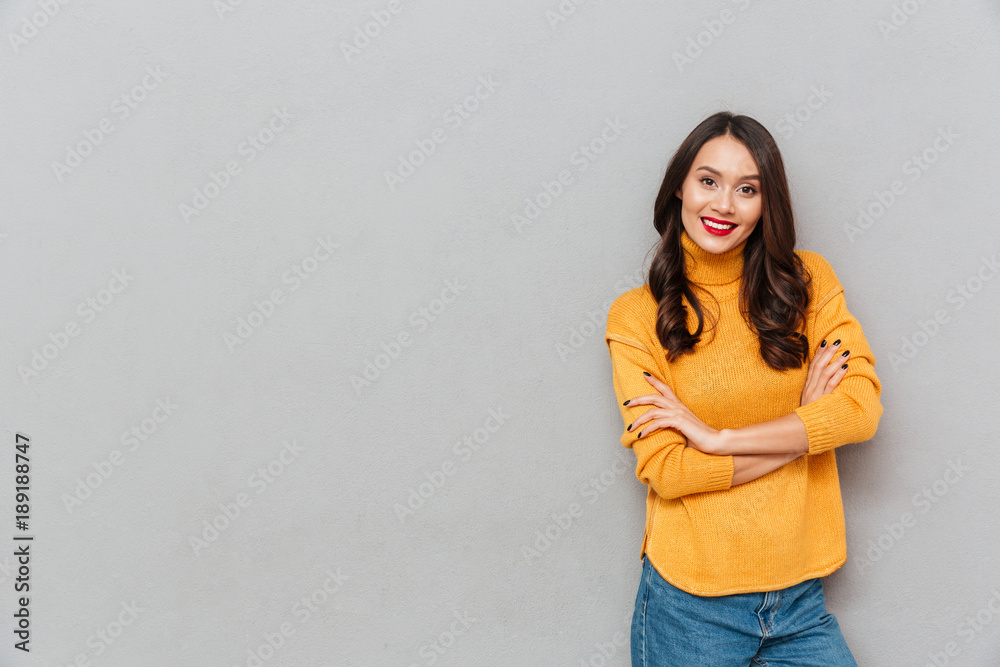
739, 370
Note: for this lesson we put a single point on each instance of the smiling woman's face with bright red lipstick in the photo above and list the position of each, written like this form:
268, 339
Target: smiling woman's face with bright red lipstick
722, 187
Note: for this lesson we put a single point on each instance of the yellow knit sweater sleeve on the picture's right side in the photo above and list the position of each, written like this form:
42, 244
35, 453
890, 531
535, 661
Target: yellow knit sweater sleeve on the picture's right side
851, 412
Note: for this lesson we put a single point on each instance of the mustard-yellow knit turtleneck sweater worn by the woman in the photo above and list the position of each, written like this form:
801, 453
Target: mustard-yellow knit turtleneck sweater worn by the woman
702, 534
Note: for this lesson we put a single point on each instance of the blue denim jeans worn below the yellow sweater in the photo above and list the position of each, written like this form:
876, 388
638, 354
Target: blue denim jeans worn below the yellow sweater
787, 628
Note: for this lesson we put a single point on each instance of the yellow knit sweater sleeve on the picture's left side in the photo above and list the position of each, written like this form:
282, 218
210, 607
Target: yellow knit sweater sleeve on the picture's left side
664, 460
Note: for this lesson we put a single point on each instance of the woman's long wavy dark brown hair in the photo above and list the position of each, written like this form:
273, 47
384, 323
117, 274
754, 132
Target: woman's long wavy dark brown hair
774, 293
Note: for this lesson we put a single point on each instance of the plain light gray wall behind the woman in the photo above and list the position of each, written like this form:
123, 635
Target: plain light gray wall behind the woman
279, 340
